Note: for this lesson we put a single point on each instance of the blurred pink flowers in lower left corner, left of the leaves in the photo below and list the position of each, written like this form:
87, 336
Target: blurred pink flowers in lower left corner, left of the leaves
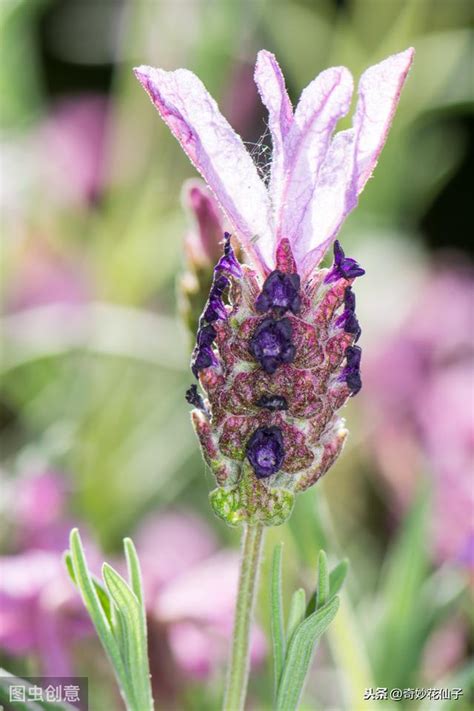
40, 612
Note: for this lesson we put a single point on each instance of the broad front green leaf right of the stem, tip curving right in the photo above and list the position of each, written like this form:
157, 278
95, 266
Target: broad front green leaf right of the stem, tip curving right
299, 655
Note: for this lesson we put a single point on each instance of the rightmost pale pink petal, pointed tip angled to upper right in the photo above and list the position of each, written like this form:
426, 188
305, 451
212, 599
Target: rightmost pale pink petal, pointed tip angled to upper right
379, 93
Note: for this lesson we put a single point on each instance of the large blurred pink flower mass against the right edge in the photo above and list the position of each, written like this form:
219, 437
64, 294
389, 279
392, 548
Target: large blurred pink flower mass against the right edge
419, 388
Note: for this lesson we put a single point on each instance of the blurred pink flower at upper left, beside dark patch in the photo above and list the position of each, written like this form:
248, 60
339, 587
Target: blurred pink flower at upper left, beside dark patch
73, 142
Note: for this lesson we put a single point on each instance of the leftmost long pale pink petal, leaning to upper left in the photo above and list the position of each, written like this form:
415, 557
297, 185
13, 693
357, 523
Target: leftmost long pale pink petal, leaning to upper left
218, 154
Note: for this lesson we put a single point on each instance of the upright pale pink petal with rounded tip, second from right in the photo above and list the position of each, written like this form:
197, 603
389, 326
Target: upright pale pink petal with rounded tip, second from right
321, 105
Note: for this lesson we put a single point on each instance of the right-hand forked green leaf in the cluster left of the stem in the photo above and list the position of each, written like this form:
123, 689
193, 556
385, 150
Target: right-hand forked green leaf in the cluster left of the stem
133, 628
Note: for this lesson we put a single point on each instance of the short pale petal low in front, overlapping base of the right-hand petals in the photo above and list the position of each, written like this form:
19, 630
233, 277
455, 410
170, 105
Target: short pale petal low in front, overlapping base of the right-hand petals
334, 196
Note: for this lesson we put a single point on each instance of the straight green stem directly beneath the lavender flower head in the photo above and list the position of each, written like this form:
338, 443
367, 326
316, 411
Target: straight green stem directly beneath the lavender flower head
237, 679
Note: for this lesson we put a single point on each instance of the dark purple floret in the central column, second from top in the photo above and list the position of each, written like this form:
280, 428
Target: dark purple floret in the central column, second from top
271, 344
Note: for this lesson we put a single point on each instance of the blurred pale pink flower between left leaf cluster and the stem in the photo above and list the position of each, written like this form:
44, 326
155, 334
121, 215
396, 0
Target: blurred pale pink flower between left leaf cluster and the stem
190, 590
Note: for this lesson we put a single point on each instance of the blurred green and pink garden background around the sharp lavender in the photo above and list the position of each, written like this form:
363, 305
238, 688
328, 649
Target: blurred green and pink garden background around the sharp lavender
95, 429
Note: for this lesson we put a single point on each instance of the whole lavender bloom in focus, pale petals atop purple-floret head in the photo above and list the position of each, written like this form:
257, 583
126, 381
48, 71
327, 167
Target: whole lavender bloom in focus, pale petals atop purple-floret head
276, 353
